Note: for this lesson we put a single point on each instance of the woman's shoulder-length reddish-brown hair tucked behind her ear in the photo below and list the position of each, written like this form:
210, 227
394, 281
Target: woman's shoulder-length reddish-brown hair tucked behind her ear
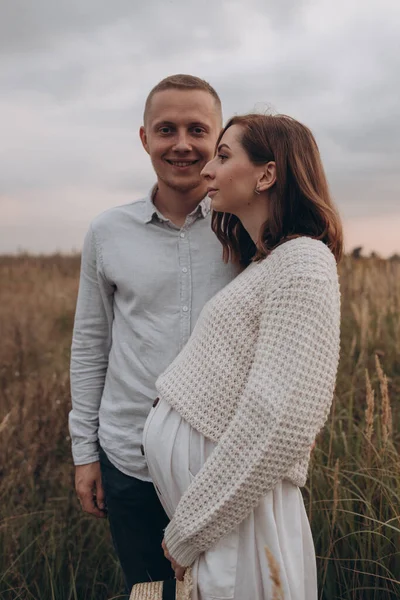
300, 202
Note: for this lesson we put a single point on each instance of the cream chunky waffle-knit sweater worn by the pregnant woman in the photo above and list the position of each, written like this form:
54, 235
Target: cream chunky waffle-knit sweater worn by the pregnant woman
257, 377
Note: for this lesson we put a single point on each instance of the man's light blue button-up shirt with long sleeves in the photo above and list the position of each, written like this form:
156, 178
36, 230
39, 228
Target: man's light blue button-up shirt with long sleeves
143, 284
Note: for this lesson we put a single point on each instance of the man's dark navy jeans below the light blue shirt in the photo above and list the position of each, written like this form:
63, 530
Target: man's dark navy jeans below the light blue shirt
137, 522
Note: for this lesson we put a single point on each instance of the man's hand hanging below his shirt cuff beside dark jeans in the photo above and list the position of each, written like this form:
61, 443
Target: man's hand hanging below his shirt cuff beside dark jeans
89, 489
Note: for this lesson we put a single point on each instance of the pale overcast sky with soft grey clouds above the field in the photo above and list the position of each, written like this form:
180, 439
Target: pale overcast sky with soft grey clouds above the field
74, 75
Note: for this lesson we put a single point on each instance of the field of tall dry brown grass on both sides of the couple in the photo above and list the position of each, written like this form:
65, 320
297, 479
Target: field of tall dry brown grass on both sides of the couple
50, 550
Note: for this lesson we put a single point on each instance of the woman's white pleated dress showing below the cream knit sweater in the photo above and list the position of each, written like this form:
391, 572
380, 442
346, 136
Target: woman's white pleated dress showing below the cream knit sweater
236, 568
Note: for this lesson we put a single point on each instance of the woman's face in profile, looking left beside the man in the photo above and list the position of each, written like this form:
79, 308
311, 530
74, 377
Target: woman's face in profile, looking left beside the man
231, 176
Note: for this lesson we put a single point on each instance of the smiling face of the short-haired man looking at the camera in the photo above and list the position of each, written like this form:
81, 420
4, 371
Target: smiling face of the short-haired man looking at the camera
179, 134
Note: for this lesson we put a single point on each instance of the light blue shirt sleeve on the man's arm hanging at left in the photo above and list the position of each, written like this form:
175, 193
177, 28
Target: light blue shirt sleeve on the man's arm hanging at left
91, 343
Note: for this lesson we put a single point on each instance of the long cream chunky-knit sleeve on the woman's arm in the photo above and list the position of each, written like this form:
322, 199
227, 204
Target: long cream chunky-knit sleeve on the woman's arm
284, 404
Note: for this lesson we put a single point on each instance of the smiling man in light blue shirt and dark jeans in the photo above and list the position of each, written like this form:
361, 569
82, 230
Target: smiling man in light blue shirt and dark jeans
147, 270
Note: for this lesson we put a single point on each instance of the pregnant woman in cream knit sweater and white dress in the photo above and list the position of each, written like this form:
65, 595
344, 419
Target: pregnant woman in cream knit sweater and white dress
228, 442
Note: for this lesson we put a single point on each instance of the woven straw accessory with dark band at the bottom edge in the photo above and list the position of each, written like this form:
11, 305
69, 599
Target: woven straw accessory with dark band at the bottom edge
164, 590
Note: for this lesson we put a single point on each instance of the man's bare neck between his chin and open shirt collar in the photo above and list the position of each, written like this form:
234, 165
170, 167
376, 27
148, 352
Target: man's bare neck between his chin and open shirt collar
175, 205
